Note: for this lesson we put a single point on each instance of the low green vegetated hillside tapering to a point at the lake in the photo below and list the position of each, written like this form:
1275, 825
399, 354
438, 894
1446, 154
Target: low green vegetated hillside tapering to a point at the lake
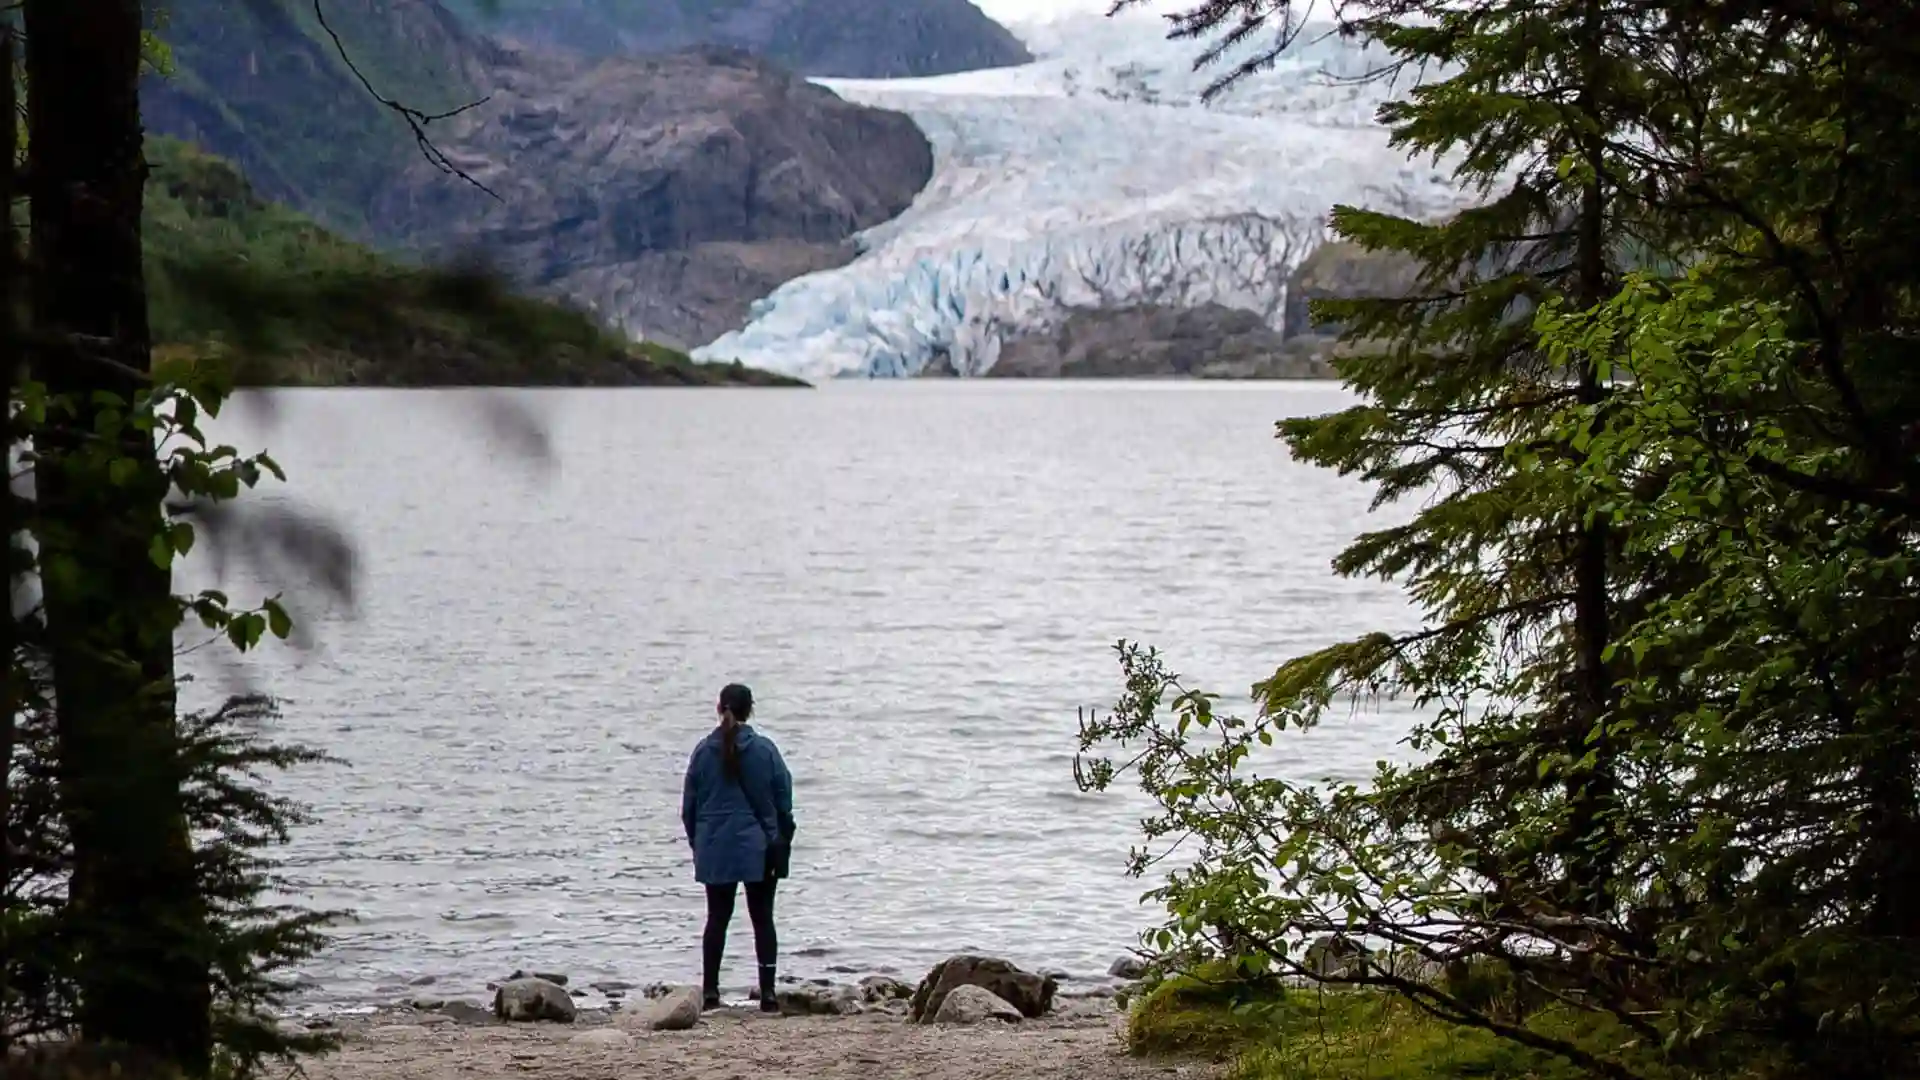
295, 305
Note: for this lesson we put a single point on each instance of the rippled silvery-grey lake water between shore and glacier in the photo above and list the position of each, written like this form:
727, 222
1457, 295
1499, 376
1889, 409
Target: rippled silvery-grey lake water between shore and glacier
921, 581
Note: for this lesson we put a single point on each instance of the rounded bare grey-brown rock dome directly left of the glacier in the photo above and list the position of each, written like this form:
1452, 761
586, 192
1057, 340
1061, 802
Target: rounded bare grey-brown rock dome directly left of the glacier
669, 193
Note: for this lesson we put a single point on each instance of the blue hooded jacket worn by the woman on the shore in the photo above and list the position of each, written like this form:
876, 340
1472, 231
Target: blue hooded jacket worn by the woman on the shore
742, 831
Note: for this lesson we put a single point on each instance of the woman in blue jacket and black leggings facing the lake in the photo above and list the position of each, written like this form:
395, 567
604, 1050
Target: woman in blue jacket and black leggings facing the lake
738, 812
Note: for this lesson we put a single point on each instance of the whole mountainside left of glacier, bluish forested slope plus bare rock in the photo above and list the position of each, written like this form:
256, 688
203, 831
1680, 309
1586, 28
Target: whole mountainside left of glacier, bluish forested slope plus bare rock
669, 193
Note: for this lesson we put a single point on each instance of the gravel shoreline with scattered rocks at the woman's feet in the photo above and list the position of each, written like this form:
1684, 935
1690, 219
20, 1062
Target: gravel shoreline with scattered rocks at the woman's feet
969, 1019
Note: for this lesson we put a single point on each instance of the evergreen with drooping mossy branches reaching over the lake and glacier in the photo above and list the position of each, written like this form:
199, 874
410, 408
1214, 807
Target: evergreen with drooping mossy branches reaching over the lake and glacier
1514, 568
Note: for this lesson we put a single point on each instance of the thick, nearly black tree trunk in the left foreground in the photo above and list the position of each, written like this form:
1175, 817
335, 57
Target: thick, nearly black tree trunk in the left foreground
110, 620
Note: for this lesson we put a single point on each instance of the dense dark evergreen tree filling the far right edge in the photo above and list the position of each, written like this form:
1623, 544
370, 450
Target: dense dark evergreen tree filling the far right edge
1765, 449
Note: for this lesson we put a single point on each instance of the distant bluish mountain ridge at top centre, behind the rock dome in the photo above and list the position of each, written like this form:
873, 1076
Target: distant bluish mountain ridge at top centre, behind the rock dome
863, 39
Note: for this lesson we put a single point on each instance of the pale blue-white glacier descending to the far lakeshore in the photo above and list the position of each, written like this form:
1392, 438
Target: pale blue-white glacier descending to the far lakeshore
1093, 178
